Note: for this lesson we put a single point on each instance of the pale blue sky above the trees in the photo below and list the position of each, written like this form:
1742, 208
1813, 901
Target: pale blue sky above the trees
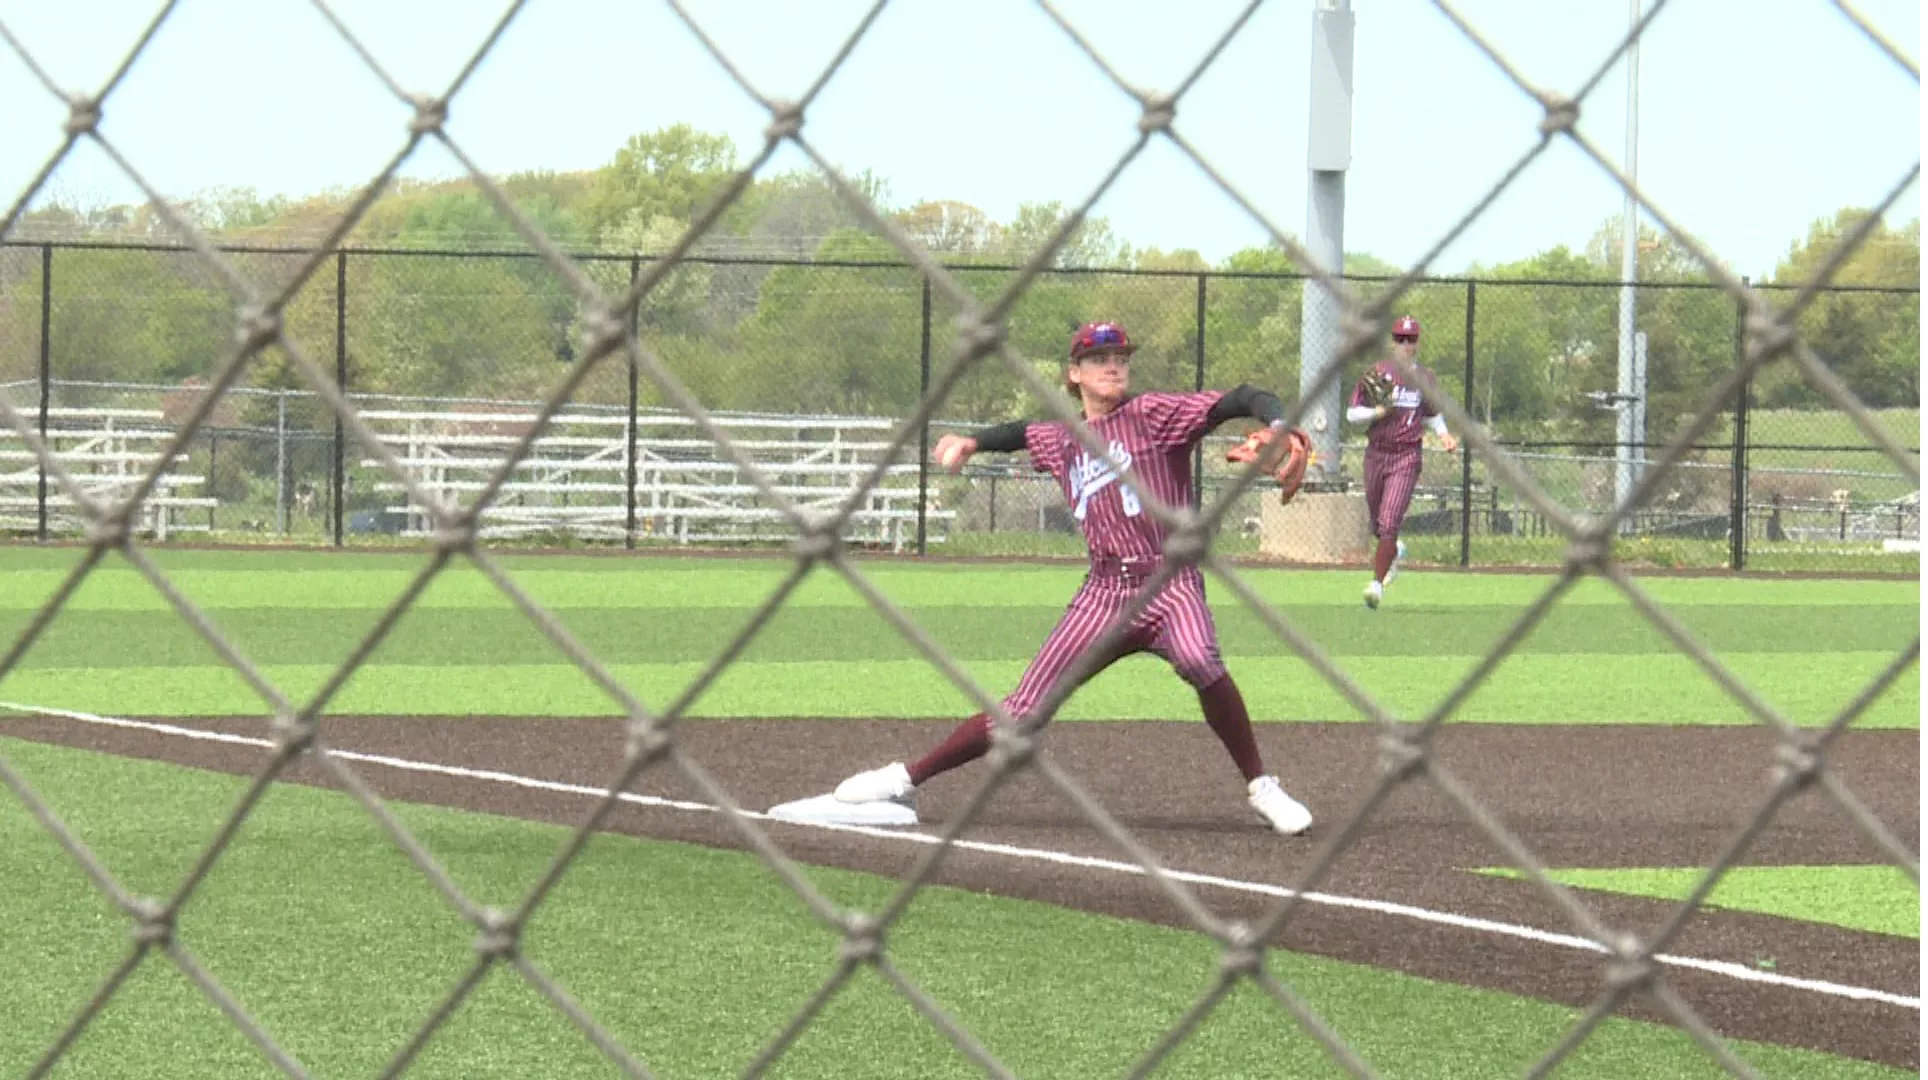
1755, 117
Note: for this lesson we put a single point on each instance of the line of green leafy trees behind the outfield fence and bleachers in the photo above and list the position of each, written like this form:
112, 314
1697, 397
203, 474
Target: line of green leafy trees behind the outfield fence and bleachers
847, 331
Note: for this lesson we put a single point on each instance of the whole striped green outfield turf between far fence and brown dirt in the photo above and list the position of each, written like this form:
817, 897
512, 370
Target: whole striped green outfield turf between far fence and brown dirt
1807, 647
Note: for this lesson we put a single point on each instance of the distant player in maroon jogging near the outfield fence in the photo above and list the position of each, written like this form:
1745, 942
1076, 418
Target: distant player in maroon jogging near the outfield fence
1397, 419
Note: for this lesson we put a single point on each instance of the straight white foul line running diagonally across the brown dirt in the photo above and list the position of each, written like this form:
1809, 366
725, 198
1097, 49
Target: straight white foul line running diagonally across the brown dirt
1029, 853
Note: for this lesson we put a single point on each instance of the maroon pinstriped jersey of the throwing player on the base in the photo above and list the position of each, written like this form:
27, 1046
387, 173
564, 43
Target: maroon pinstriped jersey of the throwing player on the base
1152, 435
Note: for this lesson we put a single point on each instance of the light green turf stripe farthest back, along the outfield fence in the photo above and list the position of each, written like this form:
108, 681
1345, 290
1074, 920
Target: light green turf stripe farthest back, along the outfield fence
747, 583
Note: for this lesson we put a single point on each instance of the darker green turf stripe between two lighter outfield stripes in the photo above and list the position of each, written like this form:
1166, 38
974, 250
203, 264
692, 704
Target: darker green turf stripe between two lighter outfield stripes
668, 635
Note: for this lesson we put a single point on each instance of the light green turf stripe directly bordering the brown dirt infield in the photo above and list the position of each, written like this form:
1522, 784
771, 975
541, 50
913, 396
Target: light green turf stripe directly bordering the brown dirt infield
1524, 689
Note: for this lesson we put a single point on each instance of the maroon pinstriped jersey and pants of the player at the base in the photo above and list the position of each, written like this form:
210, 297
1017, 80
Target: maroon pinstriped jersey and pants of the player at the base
1154, 435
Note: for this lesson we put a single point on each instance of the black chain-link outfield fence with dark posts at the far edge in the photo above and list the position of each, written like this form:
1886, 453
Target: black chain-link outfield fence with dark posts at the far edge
1781, 481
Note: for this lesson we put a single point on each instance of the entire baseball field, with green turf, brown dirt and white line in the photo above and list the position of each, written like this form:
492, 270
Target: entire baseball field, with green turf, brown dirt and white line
1422, 948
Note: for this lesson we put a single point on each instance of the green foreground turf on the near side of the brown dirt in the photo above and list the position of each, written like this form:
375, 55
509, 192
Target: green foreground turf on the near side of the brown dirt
340, 950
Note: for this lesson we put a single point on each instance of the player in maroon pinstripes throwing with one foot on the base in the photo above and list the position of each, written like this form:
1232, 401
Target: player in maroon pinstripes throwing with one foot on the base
1152, 435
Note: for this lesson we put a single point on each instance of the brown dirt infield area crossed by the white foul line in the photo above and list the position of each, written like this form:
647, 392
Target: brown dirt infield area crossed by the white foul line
1574, 796
